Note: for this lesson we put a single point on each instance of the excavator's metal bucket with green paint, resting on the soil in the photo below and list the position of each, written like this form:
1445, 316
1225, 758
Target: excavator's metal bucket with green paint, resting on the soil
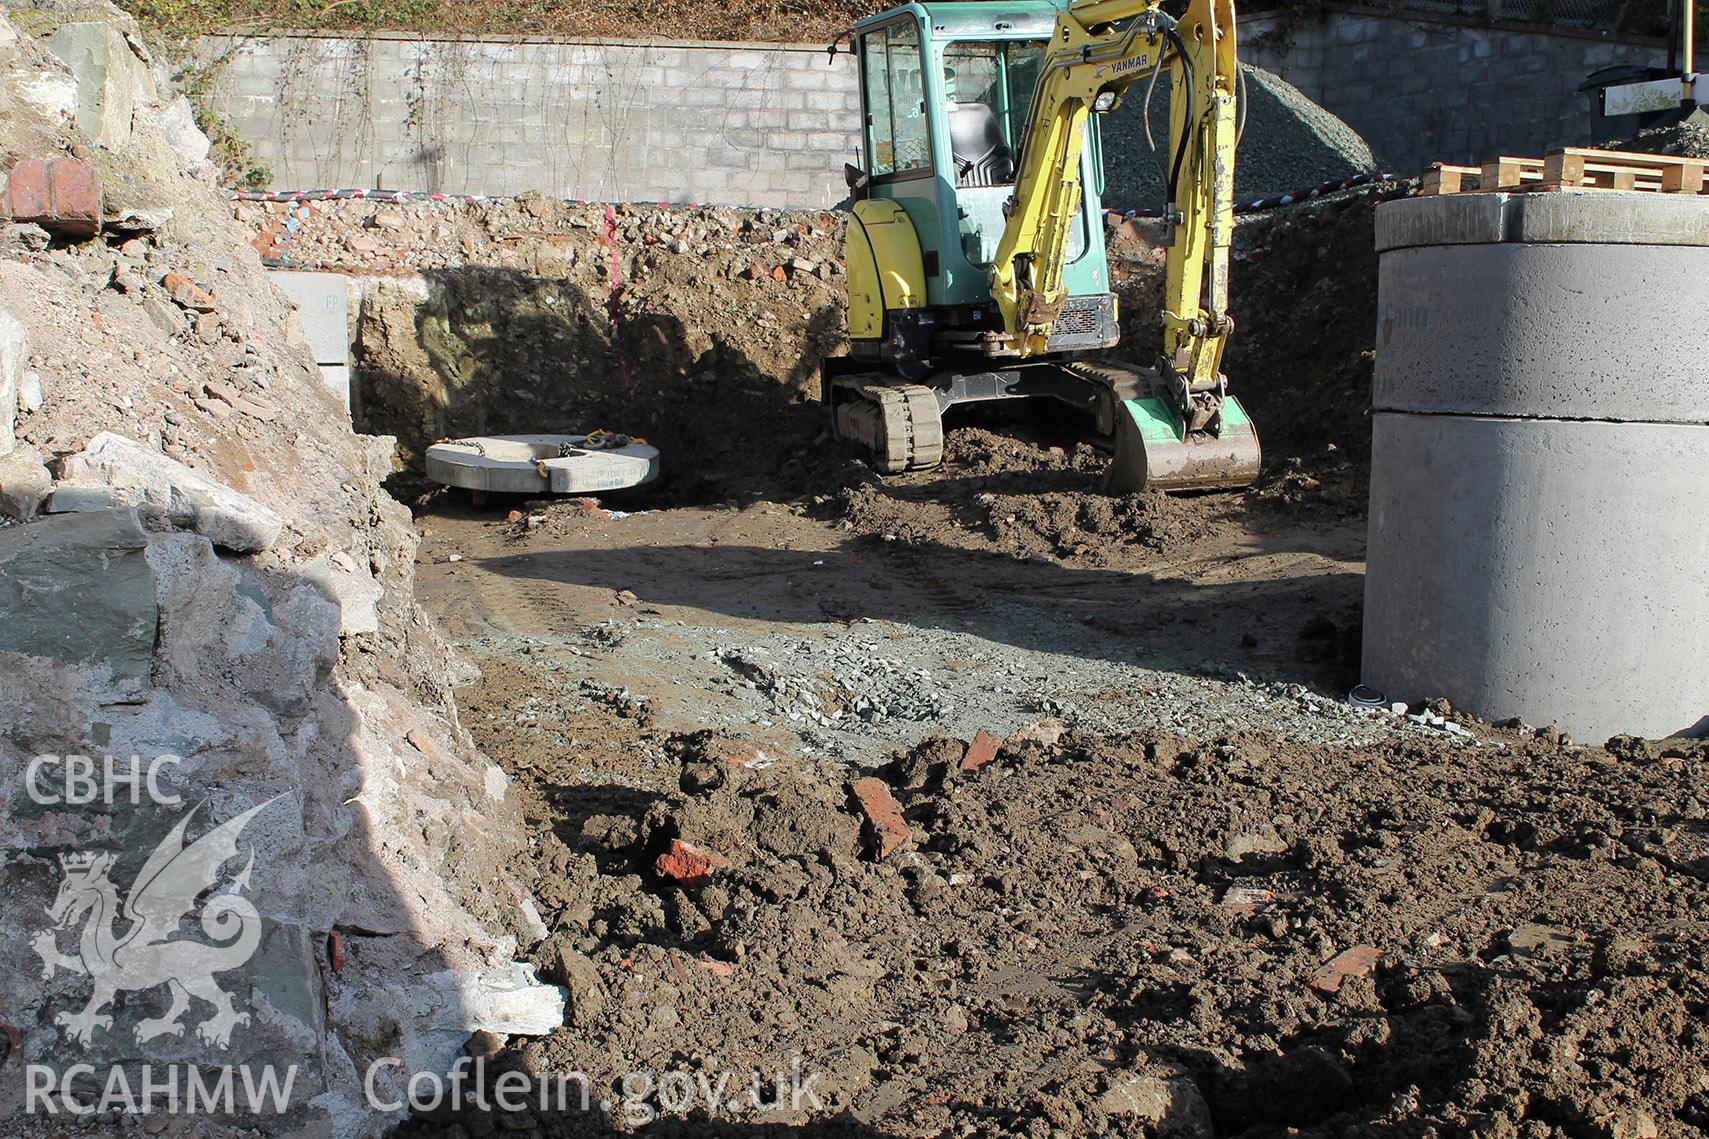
1153, 454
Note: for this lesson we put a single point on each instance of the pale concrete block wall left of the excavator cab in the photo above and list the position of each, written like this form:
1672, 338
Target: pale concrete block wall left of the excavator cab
601, 121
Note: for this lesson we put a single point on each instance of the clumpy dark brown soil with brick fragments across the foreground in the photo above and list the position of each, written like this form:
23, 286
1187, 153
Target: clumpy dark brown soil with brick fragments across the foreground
1096, 923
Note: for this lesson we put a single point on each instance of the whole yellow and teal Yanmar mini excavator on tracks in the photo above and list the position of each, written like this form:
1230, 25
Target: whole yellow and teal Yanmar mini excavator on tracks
977, 261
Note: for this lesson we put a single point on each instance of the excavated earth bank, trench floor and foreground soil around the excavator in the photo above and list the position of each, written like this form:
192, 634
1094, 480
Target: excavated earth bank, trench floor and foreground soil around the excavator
982, 803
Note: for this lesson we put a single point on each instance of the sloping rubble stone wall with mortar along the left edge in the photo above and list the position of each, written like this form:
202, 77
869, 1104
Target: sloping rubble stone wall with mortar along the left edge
242, 829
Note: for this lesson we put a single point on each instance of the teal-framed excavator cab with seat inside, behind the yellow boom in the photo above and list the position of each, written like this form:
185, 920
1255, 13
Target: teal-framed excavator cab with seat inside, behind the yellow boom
946, 90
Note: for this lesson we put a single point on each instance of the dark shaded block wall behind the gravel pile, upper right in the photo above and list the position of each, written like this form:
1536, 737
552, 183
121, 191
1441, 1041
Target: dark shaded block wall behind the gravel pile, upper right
1438, 90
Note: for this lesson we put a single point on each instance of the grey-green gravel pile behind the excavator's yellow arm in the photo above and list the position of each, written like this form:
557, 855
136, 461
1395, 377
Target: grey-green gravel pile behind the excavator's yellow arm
1291, 143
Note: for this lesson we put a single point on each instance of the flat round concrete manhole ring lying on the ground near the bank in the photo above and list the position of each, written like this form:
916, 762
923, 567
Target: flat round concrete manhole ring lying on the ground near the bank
541, 464
